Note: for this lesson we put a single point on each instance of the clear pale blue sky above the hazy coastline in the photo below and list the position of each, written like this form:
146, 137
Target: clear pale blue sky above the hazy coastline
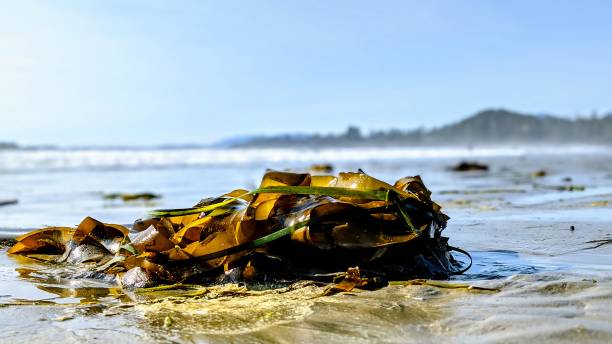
125, 72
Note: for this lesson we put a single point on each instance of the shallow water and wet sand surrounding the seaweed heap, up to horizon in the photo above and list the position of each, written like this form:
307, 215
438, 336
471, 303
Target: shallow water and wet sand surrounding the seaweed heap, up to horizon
555, 285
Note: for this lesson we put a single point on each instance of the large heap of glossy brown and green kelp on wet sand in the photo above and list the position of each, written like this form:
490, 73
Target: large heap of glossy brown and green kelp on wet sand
294, 226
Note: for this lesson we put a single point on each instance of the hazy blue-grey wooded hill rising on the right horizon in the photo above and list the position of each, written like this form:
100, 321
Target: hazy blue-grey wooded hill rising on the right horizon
490, 127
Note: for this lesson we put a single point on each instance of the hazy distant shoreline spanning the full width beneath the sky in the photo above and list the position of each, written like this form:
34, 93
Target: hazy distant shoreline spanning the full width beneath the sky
493, 127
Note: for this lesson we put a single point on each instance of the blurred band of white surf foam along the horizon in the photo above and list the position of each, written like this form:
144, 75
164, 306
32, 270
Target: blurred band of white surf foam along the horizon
23, 160
